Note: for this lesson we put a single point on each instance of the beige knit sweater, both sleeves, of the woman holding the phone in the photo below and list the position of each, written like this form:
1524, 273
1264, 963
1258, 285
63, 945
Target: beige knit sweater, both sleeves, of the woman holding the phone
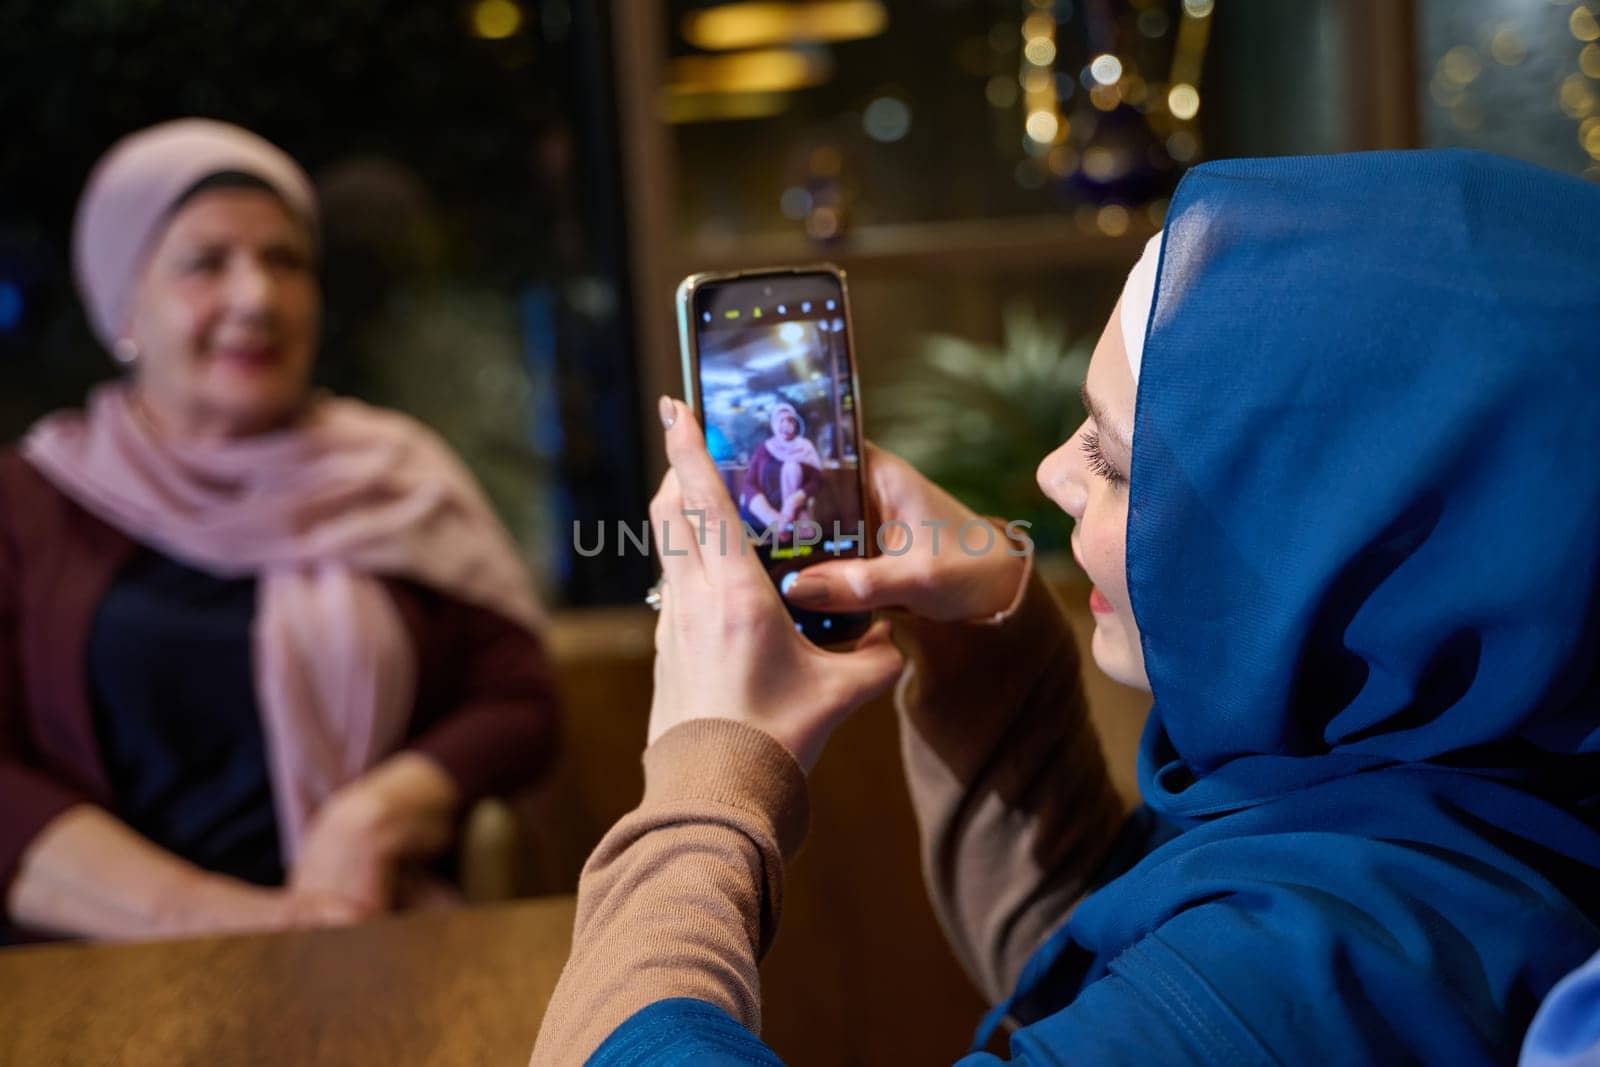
1007, 780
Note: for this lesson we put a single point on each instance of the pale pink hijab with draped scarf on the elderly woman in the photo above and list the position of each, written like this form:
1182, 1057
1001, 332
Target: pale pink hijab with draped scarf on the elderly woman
318, 511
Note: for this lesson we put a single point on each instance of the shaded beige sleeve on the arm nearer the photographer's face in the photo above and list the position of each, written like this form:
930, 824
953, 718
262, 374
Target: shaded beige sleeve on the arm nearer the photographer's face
1007, 780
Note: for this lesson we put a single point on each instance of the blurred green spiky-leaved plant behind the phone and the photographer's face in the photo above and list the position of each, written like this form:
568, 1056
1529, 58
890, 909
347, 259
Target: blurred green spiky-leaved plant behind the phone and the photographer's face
978, 418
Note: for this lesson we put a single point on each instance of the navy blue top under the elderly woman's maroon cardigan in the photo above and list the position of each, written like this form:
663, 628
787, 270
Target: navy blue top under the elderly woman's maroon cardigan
177, 719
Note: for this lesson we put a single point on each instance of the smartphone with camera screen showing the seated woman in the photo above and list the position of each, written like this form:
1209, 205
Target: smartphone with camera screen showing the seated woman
769, 367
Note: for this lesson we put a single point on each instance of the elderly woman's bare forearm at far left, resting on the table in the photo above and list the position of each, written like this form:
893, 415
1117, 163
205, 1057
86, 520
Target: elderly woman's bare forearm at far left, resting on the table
89, 874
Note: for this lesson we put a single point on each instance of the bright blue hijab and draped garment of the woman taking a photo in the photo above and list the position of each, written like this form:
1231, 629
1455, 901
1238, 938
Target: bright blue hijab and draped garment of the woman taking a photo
1364, 545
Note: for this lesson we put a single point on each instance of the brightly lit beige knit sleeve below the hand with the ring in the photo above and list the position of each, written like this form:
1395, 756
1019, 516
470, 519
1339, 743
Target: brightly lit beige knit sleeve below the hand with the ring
682, 895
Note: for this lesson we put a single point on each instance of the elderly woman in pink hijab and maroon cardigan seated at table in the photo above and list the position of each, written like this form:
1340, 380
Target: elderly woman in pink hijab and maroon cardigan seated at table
258, 647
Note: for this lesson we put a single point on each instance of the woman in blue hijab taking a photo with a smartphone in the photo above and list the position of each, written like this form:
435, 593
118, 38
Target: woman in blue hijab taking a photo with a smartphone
1340, 495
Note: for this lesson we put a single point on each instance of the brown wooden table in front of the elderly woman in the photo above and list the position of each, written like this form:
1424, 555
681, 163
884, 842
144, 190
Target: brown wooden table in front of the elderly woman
447, 988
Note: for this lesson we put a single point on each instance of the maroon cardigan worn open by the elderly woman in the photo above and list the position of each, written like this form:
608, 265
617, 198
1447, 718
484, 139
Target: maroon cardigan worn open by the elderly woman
486, 698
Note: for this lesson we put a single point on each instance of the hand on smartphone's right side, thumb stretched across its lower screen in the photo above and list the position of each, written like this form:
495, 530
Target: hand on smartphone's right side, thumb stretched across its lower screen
940, 559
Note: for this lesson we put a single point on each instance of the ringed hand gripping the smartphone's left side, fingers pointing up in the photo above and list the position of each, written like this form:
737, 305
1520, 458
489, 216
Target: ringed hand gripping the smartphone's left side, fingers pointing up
726, 645
